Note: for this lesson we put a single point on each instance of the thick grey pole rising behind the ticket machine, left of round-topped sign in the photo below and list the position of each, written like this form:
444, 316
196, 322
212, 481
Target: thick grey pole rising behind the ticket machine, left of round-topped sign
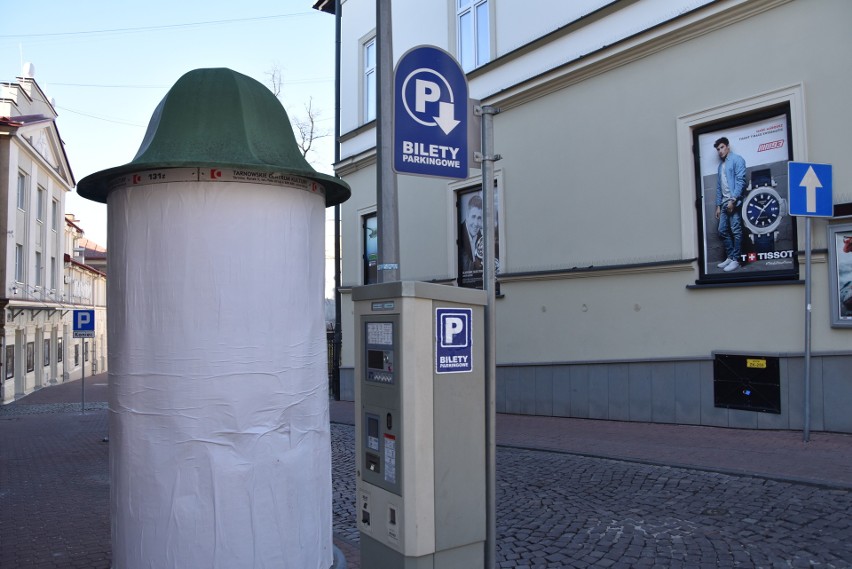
387, 213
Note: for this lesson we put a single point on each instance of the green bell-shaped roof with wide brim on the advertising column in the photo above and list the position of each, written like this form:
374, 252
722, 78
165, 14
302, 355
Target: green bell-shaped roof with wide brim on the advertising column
218, 118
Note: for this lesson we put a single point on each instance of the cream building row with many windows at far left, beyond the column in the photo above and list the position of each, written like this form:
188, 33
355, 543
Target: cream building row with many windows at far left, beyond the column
43, 281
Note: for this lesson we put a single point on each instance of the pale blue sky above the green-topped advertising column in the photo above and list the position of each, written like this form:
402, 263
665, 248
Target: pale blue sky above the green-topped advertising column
108, 64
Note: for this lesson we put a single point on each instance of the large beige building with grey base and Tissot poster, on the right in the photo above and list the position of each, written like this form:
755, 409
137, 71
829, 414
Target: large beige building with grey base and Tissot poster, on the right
614, 299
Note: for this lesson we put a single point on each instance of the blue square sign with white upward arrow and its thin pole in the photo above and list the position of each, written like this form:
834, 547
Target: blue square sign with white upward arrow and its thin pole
810, 196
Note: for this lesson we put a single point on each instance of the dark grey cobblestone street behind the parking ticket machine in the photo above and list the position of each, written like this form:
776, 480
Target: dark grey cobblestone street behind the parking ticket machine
558, 510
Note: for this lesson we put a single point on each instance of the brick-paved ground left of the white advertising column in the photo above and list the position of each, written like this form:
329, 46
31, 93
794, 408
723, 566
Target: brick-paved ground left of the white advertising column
54, 488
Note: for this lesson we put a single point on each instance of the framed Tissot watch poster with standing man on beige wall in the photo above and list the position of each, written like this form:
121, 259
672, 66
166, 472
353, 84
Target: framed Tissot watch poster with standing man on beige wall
747, 233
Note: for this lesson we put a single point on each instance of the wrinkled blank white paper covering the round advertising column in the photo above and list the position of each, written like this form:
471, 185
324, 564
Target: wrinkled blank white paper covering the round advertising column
219, 429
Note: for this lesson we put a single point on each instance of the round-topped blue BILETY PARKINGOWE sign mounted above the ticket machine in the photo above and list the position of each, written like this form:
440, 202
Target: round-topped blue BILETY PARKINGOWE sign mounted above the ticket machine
430, 114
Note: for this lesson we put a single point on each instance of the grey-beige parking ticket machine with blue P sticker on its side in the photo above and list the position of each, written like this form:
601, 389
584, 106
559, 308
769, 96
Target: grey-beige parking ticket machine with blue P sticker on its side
420, 425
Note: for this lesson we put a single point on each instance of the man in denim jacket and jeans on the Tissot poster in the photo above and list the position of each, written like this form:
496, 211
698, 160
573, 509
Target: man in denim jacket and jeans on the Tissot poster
730, 184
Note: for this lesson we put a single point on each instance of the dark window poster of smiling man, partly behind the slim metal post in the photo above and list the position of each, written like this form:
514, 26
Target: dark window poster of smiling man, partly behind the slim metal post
470, 244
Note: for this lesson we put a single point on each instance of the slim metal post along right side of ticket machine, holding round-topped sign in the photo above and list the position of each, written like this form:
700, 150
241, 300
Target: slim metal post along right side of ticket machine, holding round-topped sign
489, 284
